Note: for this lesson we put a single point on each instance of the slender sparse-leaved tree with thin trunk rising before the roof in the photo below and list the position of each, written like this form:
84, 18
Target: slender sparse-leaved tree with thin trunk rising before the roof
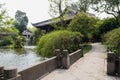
57, 7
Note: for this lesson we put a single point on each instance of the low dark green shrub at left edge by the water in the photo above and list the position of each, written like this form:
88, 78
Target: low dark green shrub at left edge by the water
6, 41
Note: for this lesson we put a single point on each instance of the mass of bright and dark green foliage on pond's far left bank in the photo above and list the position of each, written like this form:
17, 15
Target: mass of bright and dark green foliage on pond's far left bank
10, 38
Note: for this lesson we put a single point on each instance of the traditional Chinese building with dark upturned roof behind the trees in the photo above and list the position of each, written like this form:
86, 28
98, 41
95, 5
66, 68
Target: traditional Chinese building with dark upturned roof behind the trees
47, 25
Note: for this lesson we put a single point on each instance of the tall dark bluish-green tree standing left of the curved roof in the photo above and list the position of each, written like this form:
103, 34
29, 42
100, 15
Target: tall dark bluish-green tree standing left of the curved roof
21, 21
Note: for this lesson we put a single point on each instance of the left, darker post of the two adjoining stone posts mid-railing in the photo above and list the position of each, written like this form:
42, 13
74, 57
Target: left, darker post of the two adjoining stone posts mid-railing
59, 58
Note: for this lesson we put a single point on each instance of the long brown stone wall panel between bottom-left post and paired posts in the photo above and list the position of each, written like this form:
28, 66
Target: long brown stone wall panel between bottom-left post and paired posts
39, 70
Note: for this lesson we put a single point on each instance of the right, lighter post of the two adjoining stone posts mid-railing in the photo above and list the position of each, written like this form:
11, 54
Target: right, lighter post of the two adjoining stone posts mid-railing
65, 59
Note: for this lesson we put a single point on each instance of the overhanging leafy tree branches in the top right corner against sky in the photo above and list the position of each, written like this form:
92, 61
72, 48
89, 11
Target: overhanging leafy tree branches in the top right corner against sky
108, 6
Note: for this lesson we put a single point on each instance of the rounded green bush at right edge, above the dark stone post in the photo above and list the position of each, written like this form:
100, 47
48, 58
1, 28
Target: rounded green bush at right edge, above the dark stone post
112, 39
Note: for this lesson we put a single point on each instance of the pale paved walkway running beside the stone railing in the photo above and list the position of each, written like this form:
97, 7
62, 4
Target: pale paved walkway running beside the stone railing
91, 67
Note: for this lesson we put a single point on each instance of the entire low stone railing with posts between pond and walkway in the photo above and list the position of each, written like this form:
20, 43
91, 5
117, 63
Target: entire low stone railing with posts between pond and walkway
62, 60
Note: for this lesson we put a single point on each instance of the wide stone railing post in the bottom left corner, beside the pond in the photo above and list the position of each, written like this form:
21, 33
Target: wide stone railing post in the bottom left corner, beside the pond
11, 74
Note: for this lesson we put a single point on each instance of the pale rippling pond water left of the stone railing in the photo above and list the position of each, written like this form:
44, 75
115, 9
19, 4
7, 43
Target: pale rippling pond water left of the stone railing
19, 58
